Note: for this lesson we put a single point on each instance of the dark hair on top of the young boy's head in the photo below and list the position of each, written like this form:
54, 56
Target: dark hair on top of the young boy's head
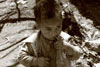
46, 8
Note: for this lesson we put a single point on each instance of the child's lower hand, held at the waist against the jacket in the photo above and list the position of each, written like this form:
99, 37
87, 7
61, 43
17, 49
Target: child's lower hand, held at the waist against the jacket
43, 62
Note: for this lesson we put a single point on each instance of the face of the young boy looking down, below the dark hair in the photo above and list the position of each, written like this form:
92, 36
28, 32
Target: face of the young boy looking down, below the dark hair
51, 28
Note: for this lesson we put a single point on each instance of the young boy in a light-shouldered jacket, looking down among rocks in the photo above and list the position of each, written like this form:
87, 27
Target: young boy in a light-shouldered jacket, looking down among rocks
46, 47
